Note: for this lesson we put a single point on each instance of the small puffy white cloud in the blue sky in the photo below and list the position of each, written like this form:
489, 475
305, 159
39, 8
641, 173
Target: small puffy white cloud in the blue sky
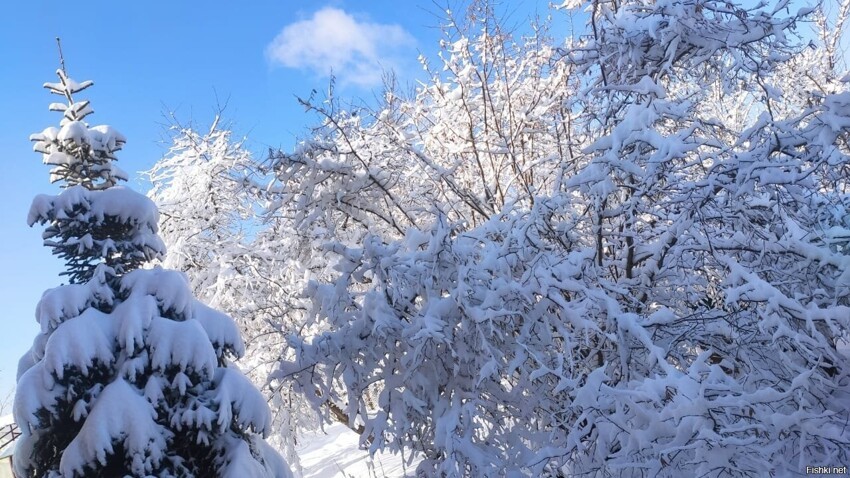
333, 40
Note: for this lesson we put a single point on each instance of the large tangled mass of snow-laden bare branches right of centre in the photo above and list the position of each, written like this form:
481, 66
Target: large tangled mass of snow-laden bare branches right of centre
595, 273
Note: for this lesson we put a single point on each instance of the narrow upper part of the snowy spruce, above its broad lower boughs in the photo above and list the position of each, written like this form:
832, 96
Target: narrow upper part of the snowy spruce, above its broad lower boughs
117, 231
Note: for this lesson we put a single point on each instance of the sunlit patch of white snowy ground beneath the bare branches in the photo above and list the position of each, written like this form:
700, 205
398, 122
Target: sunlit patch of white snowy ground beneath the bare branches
334, 454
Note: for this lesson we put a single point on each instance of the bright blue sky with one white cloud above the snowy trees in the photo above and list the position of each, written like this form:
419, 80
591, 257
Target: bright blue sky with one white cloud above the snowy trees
152, 58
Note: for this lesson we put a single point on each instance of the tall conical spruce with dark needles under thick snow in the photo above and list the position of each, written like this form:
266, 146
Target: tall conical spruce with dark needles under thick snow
130, 374
